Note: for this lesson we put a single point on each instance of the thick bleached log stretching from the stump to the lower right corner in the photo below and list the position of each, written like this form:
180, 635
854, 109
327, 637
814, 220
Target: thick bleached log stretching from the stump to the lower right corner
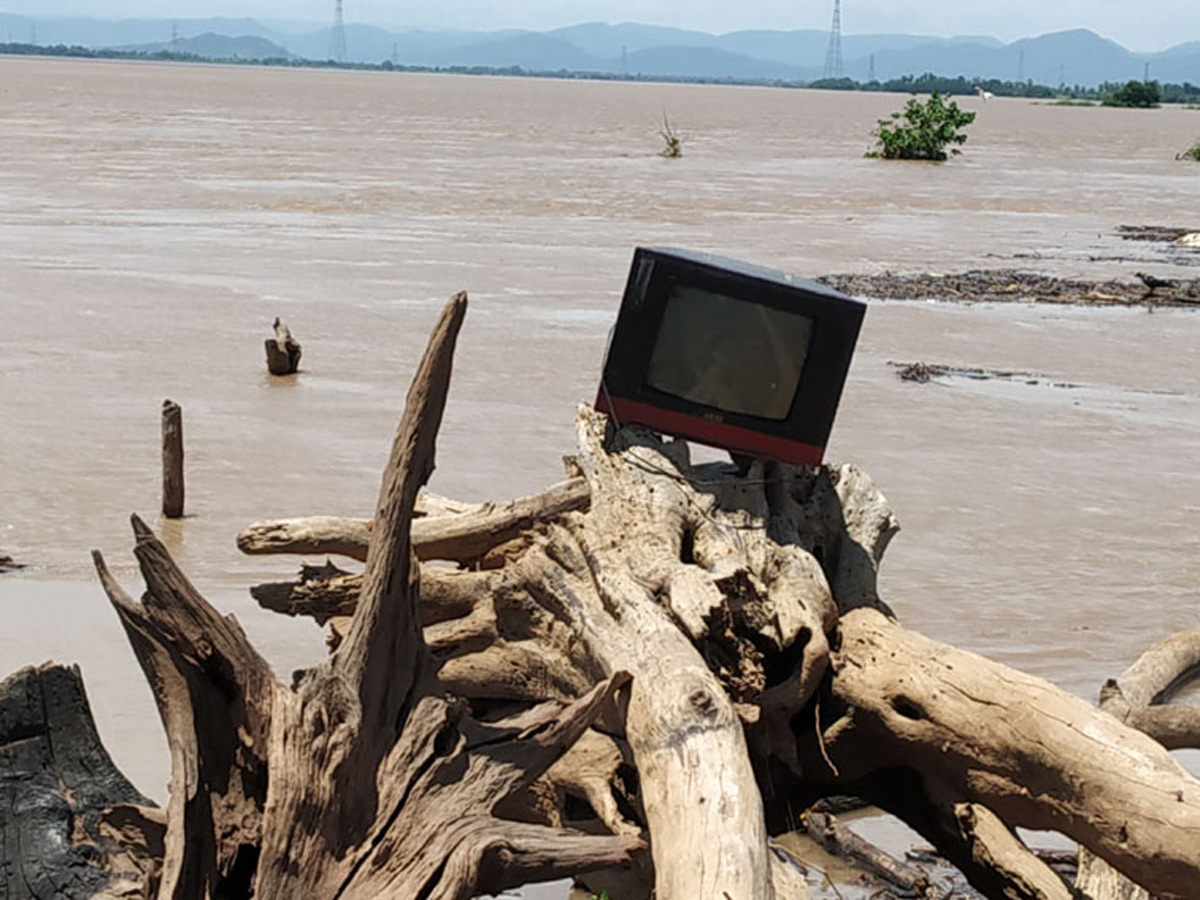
1035, 755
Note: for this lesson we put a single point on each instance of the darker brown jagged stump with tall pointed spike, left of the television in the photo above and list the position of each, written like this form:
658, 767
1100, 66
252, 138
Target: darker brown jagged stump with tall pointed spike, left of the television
363, 779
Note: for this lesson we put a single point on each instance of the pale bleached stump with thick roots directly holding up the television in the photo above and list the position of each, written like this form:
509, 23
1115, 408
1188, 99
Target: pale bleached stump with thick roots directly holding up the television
763, 575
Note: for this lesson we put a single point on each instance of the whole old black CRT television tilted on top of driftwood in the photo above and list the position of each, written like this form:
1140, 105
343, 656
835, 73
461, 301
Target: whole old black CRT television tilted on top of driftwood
729, 355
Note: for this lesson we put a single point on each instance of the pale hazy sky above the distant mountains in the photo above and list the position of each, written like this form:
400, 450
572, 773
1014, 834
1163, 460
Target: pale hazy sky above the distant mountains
1147, 26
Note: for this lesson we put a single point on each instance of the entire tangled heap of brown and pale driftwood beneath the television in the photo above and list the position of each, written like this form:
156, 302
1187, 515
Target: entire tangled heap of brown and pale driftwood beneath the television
431, 754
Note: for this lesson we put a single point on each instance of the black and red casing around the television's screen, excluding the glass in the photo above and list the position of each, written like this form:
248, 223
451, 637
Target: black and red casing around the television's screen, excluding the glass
800, 439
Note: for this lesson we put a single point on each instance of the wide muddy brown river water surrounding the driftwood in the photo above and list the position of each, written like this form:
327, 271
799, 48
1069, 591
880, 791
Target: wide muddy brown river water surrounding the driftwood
155, 219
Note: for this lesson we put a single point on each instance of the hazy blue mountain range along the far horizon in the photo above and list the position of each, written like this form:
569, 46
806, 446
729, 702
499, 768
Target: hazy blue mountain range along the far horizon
1077, 57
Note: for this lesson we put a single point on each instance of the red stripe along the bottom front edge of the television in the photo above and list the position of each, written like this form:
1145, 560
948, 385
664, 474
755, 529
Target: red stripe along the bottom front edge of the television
706, 431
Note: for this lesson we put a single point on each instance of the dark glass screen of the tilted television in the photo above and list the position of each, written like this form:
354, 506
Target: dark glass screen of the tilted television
730, 356
